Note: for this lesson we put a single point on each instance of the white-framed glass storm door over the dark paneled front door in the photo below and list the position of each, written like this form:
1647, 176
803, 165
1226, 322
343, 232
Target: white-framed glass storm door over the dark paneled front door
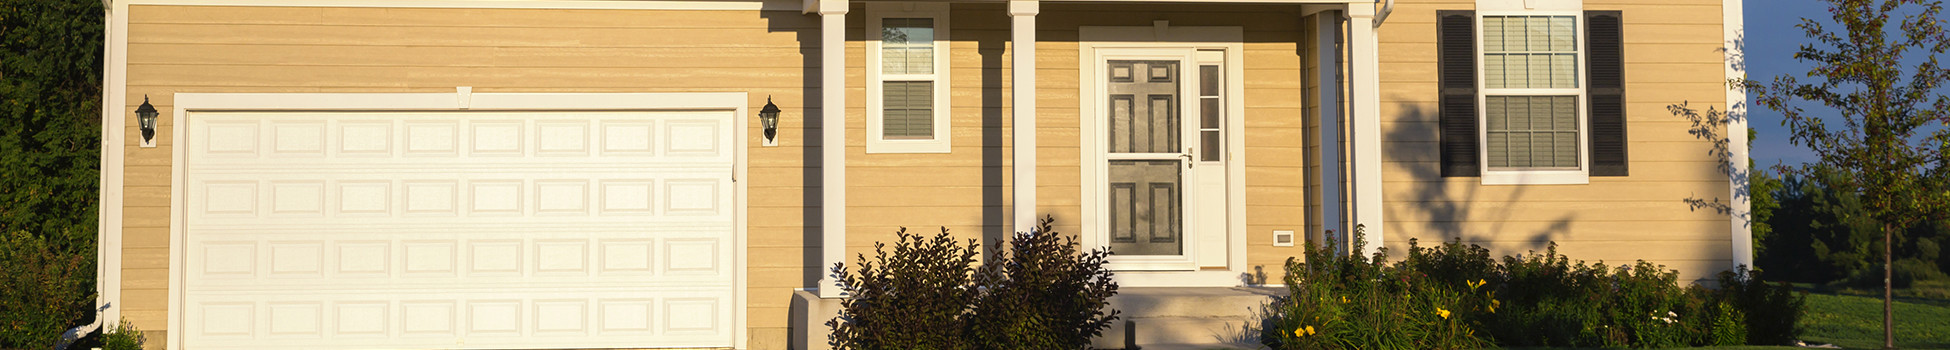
1150, 157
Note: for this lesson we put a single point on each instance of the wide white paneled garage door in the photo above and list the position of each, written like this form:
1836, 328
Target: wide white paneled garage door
459, 230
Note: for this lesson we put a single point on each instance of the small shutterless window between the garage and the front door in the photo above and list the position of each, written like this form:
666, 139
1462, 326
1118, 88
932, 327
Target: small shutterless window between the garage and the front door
908, 77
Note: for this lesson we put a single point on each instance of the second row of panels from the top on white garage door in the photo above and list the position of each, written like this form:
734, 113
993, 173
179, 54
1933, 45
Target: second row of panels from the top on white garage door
247, 198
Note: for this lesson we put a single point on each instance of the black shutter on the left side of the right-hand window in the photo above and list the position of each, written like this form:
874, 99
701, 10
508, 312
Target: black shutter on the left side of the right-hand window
1456, 38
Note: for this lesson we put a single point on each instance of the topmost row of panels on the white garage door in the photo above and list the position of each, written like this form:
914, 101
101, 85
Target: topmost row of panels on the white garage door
481, 138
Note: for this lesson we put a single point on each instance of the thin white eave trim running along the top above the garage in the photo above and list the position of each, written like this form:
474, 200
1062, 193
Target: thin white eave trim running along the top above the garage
549, 5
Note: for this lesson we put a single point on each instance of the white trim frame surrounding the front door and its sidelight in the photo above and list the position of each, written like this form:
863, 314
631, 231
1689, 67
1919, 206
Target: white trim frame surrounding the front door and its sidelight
1229, 40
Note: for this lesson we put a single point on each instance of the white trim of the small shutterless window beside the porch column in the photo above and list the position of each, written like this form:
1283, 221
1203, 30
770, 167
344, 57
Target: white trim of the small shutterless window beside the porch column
877, 79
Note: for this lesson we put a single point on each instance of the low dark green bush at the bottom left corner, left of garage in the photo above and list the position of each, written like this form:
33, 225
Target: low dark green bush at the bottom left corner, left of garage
44, 290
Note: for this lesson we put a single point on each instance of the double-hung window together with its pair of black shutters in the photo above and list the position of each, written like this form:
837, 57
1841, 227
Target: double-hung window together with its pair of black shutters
1532, 97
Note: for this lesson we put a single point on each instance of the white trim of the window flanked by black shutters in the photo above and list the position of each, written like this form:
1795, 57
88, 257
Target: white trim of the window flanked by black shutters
1508, 177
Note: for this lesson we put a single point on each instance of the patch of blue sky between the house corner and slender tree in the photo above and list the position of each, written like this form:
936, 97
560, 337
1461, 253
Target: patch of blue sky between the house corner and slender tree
1772, 44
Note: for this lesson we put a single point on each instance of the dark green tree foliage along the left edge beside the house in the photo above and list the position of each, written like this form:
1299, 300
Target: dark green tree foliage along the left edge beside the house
50, 155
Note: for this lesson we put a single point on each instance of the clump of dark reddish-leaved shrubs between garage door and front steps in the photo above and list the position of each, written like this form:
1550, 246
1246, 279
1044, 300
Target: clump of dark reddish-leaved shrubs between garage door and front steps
929, 296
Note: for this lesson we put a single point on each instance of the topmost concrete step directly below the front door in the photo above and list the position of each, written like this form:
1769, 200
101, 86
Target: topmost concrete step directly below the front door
1192, 302
